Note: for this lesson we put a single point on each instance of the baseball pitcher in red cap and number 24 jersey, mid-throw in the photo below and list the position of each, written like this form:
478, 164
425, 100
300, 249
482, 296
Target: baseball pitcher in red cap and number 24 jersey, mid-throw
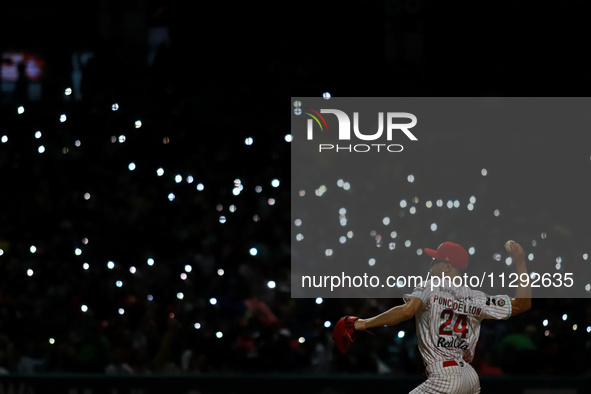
448, 319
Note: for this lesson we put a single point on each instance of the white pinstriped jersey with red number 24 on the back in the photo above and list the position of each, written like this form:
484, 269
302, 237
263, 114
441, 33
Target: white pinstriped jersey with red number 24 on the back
448, 325
